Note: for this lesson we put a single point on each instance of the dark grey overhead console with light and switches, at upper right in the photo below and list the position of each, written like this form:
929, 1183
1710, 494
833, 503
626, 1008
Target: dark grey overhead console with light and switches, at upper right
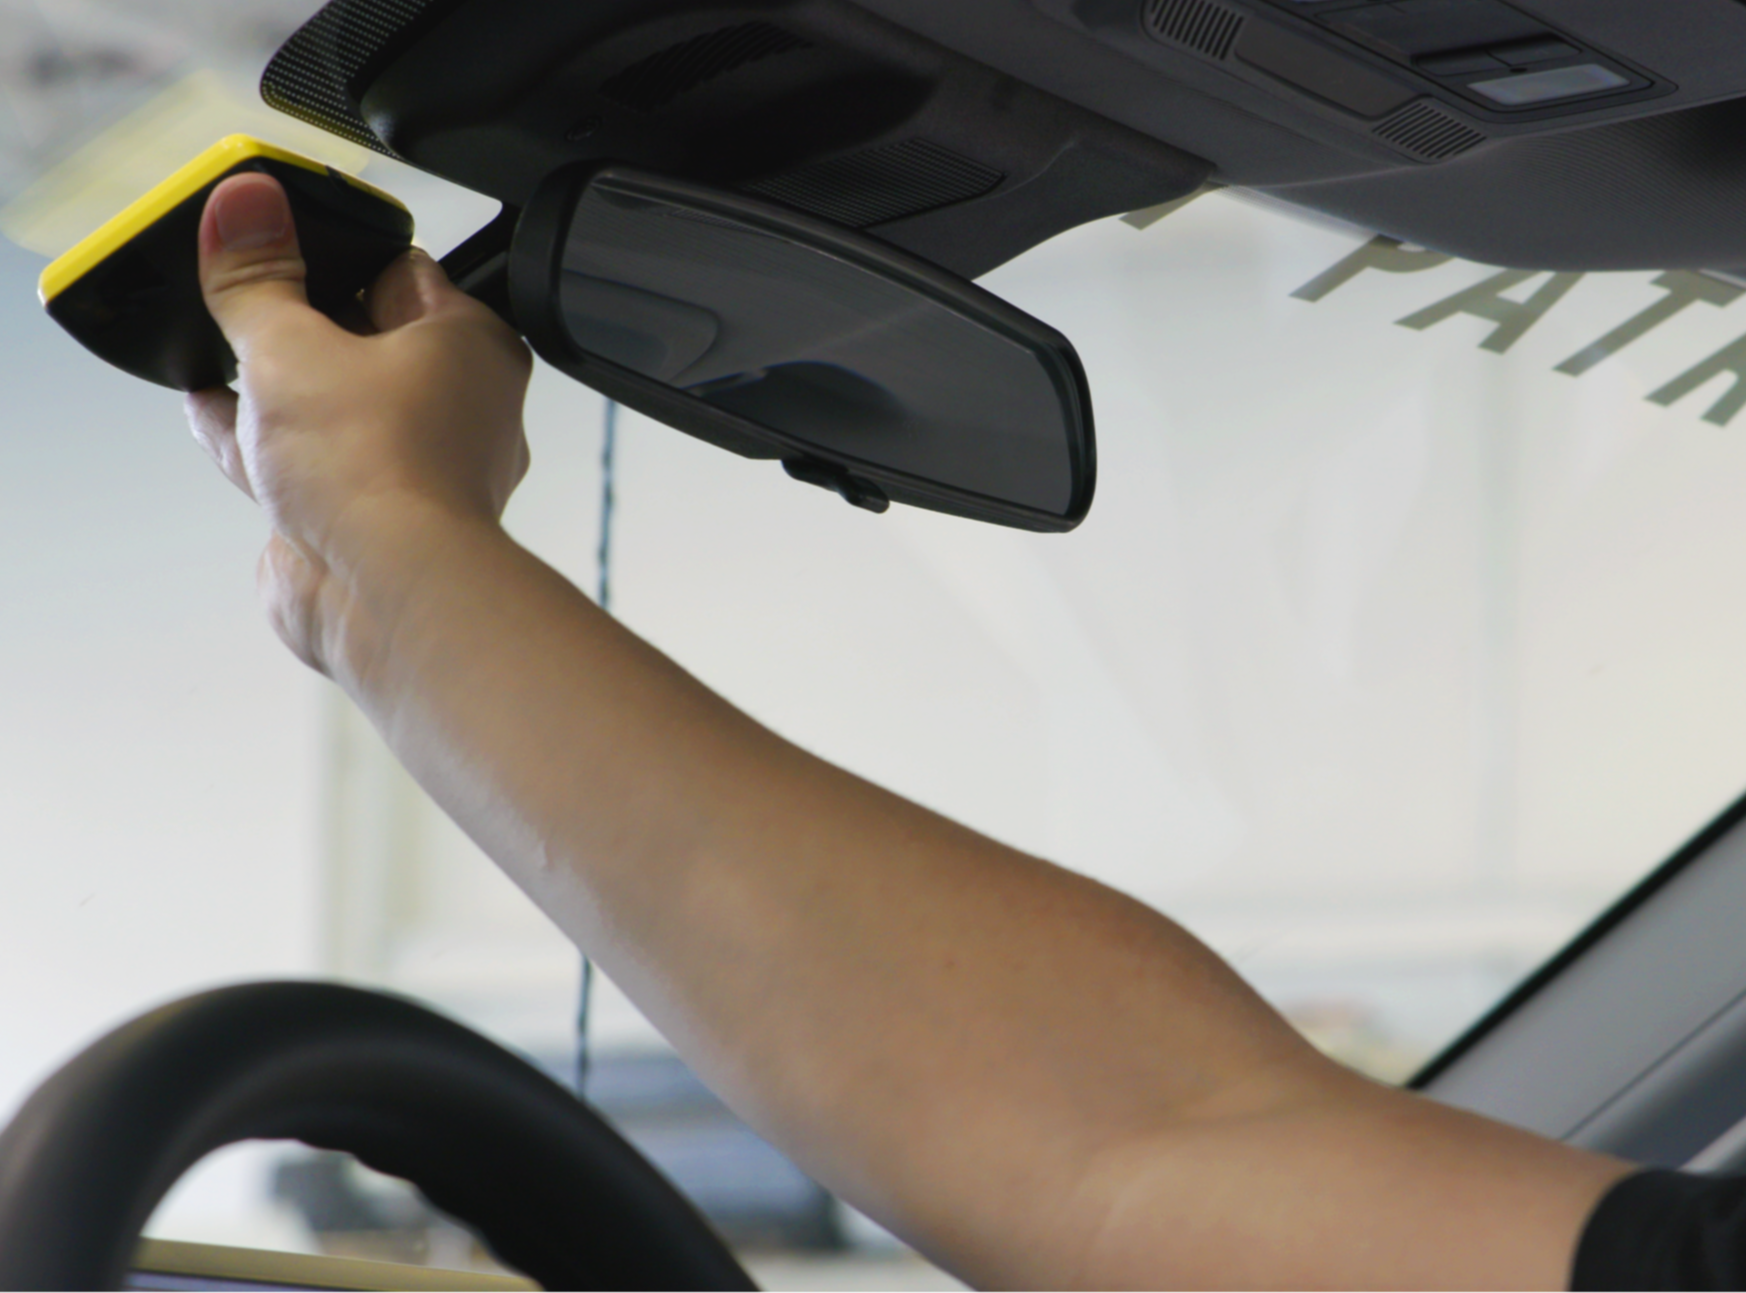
1534, 133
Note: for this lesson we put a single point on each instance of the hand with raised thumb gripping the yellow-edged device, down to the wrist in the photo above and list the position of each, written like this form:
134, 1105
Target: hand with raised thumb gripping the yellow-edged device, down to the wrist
352, 444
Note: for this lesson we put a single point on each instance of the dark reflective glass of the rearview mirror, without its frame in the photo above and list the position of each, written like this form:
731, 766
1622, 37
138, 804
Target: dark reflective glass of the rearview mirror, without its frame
830, 353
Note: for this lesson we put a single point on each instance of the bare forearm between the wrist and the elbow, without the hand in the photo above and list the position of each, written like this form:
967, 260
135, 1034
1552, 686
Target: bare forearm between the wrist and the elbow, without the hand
904, 1002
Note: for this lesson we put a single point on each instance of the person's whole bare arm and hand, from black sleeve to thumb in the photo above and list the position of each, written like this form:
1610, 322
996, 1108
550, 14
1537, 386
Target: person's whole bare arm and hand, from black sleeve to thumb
1040, 1083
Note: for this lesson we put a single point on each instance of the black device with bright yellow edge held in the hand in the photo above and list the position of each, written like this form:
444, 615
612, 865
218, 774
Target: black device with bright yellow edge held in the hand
132, 292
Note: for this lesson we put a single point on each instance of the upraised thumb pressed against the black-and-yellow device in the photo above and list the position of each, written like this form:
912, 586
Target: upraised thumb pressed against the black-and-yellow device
252, 268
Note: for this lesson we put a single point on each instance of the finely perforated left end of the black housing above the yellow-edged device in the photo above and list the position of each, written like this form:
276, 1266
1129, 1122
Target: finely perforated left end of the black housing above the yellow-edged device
315, 74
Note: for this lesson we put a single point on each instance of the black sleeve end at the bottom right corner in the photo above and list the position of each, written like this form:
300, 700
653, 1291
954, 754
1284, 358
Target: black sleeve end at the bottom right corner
1667, 1233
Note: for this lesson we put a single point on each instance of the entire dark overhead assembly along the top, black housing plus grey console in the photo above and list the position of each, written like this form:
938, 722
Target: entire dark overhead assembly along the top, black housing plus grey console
1536, 133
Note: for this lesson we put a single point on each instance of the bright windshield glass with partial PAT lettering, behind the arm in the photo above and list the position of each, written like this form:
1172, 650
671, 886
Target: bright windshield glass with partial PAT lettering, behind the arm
1401, 641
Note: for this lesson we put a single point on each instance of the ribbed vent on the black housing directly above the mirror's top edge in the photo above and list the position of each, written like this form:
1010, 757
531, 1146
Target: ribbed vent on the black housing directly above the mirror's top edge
883, 184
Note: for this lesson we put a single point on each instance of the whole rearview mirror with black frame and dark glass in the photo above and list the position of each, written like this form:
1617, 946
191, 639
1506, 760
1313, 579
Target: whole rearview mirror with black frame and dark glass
778, 336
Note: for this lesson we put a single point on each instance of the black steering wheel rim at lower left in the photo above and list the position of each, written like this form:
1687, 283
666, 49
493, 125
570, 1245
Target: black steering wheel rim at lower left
488, 1139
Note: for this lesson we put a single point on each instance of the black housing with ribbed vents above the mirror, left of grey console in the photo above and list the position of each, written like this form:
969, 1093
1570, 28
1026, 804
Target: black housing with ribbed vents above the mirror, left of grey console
815, 104
